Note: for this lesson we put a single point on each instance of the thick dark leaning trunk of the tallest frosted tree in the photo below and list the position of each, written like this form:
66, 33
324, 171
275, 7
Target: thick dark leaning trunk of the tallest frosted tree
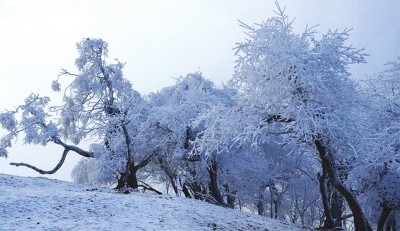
360, 223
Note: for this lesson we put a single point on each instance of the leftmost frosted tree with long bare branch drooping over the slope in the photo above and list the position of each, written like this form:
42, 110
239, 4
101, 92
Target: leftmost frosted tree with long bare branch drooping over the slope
100, 105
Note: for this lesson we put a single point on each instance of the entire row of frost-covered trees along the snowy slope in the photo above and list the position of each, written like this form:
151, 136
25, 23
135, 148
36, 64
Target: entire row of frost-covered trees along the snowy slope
291, 136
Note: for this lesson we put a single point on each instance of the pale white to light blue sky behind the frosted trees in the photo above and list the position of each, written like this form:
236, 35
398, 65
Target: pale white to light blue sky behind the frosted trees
160, 40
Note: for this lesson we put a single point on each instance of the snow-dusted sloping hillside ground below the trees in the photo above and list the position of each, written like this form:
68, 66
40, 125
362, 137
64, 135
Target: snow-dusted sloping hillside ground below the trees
35, 203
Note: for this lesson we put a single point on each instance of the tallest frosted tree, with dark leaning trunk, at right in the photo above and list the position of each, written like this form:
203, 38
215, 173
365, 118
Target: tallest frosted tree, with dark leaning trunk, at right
298, 87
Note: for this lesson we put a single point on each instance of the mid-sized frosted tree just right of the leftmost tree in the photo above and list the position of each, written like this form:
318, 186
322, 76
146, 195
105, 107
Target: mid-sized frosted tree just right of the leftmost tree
168, 130
